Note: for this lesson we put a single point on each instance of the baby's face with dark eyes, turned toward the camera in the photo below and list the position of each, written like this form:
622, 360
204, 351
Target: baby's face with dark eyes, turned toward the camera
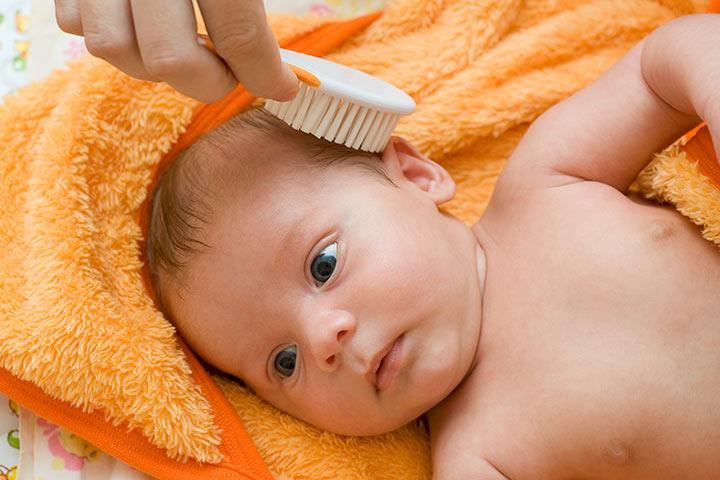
340, 299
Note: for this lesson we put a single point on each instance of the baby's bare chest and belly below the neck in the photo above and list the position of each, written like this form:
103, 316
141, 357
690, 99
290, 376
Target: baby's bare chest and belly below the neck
603, 351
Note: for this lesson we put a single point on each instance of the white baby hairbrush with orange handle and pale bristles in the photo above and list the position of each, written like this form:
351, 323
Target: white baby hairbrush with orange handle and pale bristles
339, 103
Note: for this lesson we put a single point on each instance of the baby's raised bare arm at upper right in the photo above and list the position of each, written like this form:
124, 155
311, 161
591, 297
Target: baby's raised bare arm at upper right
608, 131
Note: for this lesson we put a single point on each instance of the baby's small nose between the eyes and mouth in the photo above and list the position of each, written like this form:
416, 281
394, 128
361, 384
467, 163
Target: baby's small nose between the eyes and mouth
328, 337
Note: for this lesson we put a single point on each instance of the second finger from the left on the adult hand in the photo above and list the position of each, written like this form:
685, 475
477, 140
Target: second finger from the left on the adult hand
109, 34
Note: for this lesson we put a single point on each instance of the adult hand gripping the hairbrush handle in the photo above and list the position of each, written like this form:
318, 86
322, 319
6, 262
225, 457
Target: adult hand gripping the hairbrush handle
156, 40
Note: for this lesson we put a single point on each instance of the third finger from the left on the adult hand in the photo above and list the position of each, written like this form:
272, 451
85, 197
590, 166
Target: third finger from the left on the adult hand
165, 31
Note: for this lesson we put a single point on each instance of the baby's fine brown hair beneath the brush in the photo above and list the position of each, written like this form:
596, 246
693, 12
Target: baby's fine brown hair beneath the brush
184, 197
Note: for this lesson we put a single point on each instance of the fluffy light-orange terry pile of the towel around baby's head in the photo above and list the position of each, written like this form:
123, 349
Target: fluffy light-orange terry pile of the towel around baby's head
75, 320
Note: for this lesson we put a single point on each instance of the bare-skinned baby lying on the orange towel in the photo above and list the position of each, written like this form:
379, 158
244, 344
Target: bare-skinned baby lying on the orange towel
572, 332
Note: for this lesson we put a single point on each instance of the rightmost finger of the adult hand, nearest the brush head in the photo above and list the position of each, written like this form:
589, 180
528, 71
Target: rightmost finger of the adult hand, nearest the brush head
242, 37
